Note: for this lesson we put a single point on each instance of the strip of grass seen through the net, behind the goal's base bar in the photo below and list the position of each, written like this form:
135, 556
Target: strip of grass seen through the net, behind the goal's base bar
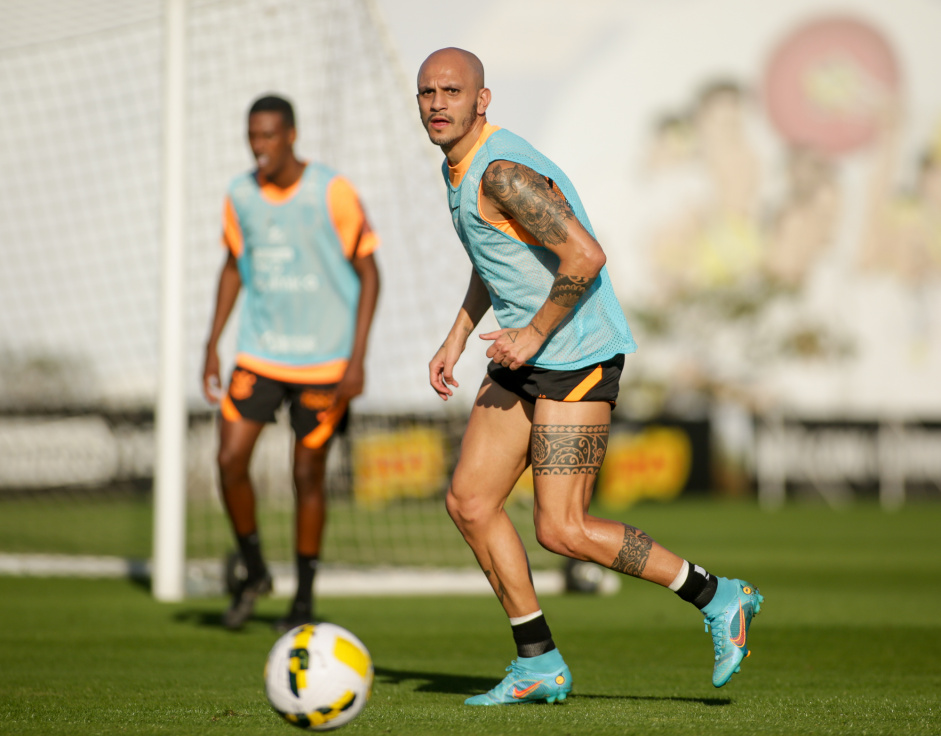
407, 533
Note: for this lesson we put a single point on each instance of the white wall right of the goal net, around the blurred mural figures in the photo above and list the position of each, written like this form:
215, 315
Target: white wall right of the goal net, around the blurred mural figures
586, 82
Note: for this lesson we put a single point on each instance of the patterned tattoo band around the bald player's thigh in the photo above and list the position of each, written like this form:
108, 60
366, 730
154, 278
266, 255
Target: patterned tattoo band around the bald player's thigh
568, 449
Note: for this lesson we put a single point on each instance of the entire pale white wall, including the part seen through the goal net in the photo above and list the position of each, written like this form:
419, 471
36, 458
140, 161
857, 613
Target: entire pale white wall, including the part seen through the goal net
584, 82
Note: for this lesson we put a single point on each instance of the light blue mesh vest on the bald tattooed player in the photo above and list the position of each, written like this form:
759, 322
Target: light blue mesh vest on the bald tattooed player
519, 276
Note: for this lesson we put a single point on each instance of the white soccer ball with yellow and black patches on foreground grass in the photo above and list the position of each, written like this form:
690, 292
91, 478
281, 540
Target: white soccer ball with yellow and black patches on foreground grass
318, 676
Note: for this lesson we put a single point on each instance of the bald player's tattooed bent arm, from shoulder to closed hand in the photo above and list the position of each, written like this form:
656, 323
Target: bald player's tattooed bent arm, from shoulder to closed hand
512, 190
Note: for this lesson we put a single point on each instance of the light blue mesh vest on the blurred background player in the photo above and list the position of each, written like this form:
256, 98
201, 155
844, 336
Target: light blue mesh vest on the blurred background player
301, 291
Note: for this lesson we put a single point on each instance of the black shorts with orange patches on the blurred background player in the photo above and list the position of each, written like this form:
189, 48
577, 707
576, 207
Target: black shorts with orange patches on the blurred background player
257, 398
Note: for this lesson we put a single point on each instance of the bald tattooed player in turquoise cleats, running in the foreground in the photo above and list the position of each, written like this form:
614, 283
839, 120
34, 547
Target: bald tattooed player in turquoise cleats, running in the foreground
553, 378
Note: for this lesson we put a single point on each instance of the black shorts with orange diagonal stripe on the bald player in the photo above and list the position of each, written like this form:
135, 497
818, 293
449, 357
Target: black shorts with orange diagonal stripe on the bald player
596, 382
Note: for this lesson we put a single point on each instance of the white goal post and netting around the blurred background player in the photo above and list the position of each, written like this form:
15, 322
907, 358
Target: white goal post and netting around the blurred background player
130, 121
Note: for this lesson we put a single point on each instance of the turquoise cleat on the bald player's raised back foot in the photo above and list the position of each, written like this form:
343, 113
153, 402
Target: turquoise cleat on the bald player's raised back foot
729, 615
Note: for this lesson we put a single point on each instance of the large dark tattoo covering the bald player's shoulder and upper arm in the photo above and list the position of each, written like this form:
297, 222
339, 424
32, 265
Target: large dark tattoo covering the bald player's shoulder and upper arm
530, 200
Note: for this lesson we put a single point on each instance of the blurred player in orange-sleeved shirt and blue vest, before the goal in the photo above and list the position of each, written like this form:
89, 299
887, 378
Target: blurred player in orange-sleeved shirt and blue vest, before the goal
300, 246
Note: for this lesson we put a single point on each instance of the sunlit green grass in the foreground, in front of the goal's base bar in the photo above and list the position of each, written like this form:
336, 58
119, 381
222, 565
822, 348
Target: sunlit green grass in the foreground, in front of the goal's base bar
848, 642
